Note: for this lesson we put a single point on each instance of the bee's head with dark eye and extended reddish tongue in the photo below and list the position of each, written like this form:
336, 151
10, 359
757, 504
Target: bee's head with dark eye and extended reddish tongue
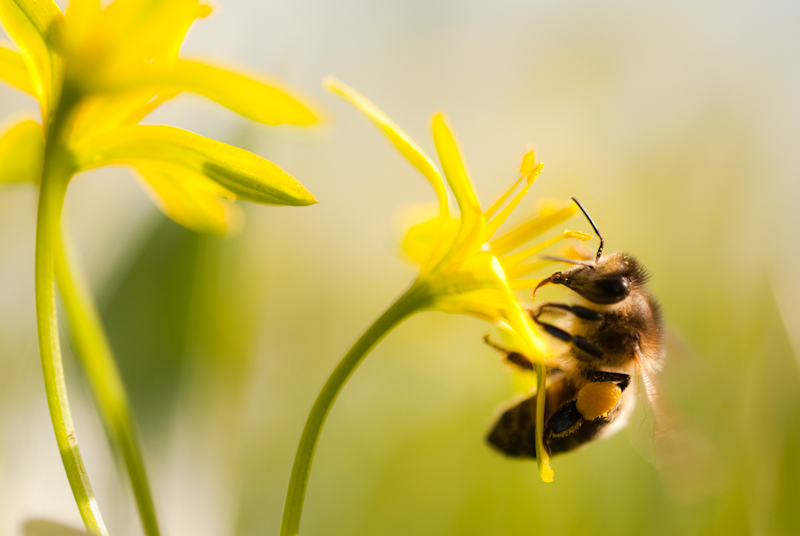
609, 280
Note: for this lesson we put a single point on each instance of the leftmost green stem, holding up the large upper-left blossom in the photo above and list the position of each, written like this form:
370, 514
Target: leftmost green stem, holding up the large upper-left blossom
56, 172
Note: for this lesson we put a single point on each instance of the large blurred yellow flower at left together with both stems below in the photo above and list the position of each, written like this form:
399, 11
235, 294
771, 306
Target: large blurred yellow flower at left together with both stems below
96, 72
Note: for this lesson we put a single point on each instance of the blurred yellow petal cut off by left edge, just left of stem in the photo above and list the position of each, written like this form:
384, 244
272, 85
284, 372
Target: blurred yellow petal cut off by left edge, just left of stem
21, 151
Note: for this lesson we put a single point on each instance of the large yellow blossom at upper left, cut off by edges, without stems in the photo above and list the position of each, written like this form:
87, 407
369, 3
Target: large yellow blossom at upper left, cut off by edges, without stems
102, 70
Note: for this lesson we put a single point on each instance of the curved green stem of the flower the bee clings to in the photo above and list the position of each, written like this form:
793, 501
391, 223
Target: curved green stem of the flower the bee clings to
411, 302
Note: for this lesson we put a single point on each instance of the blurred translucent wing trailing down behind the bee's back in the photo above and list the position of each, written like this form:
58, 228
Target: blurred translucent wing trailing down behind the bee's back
686, 461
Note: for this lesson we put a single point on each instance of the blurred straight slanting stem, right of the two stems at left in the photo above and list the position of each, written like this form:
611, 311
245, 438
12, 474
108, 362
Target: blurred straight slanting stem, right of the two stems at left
94, 352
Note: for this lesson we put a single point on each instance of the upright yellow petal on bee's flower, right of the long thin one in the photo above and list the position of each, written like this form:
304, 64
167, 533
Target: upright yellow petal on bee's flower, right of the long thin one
471, 234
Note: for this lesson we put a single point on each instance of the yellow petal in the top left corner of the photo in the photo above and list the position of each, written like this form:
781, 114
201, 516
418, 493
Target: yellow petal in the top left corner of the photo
36, 27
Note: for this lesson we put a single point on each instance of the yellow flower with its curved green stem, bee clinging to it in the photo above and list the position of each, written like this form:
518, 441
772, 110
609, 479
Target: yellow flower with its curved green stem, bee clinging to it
464, 268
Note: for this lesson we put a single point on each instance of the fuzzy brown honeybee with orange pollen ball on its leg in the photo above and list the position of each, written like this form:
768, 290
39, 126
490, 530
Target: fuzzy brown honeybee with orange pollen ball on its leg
613, 332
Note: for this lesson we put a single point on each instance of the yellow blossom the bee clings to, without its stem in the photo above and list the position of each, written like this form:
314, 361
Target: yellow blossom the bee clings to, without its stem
464, 268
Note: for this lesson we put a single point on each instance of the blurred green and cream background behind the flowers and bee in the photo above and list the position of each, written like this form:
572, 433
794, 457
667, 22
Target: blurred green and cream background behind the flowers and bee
675, 123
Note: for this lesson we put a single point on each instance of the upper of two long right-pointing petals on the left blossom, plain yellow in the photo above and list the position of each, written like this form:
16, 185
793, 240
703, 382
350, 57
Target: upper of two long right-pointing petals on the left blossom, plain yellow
246, 95
